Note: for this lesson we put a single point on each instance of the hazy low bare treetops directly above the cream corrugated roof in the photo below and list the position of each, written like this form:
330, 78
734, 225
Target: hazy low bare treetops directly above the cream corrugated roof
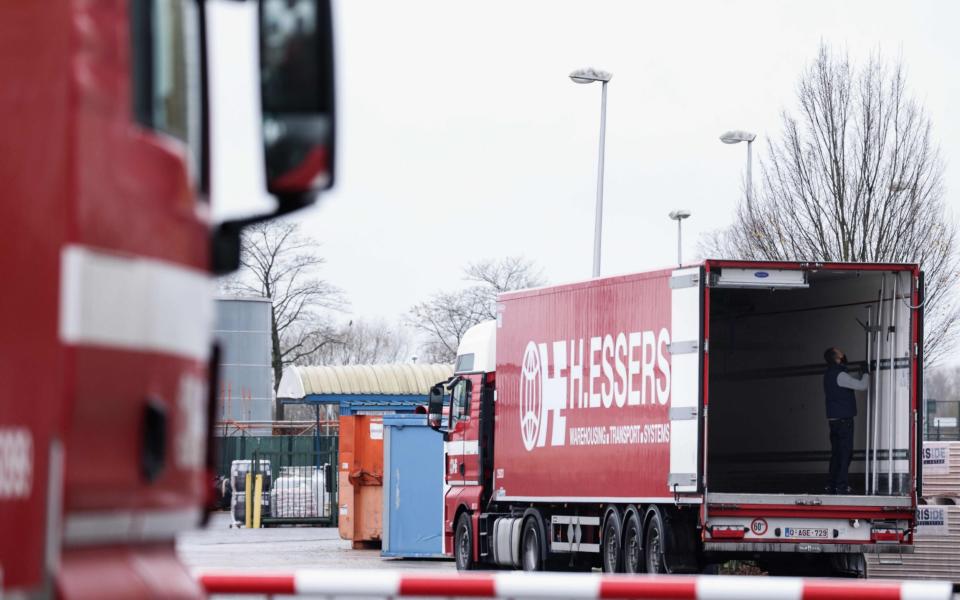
363, 343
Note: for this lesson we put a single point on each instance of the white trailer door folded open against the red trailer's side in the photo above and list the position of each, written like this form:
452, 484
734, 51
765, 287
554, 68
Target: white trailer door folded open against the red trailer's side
686, 361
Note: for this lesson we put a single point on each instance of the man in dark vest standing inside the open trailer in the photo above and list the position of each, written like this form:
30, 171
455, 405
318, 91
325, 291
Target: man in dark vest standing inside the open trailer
838, 388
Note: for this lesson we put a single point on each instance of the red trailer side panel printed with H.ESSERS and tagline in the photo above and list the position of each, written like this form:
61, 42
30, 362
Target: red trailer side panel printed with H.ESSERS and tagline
583, 384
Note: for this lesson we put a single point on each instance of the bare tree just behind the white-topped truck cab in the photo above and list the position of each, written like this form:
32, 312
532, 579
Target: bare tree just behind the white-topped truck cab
445, 317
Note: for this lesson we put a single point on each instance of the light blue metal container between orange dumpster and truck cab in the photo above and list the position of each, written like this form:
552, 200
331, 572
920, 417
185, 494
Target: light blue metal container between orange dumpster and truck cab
412, 488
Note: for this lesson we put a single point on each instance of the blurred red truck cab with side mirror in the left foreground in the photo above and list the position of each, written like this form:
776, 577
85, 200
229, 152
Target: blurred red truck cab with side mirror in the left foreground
109, 253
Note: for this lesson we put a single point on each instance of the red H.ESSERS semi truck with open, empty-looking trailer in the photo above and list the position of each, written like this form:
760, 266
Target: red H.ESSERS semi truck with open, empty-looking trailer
665, 421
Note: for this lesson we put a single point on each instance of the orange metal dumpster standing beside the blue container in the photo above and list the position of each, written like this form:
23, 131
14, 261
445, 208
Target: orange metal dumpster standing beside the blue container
361, 480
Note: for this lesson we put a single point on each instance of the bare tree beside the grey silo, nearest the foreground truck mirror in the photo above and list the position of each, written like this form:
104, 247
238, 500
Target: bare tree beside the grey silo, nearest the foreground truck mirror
279, 263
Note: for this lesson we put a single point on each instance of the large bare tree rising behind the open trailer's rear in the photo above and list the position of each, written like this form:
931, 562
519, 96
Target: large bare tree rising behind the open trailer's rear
854, 177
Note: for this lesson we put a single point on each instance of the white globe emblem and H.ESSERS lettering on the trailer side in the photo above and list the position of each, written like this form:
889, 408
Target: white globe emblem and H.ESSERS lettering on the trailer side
626, 369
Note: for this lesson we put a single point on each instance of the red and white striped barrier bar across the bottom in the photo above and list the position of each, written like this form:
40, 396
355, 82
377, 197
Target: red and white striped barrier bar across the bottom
573, 586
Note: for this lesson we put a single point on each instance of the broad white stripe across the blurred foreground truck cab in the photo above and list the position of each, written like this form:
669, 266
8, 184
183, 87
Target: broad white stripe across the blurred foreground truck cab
134, 303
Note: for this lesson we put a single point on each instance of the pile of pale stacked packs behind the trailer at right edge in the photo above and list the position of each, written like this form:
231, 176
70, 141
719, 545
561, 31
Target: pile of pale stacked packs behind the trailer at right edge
937, 543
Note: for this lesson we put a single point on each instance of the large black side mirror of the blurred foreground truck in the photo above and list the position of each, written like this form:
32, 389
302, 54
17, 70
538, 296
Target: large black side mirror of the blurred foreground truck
297, 99
